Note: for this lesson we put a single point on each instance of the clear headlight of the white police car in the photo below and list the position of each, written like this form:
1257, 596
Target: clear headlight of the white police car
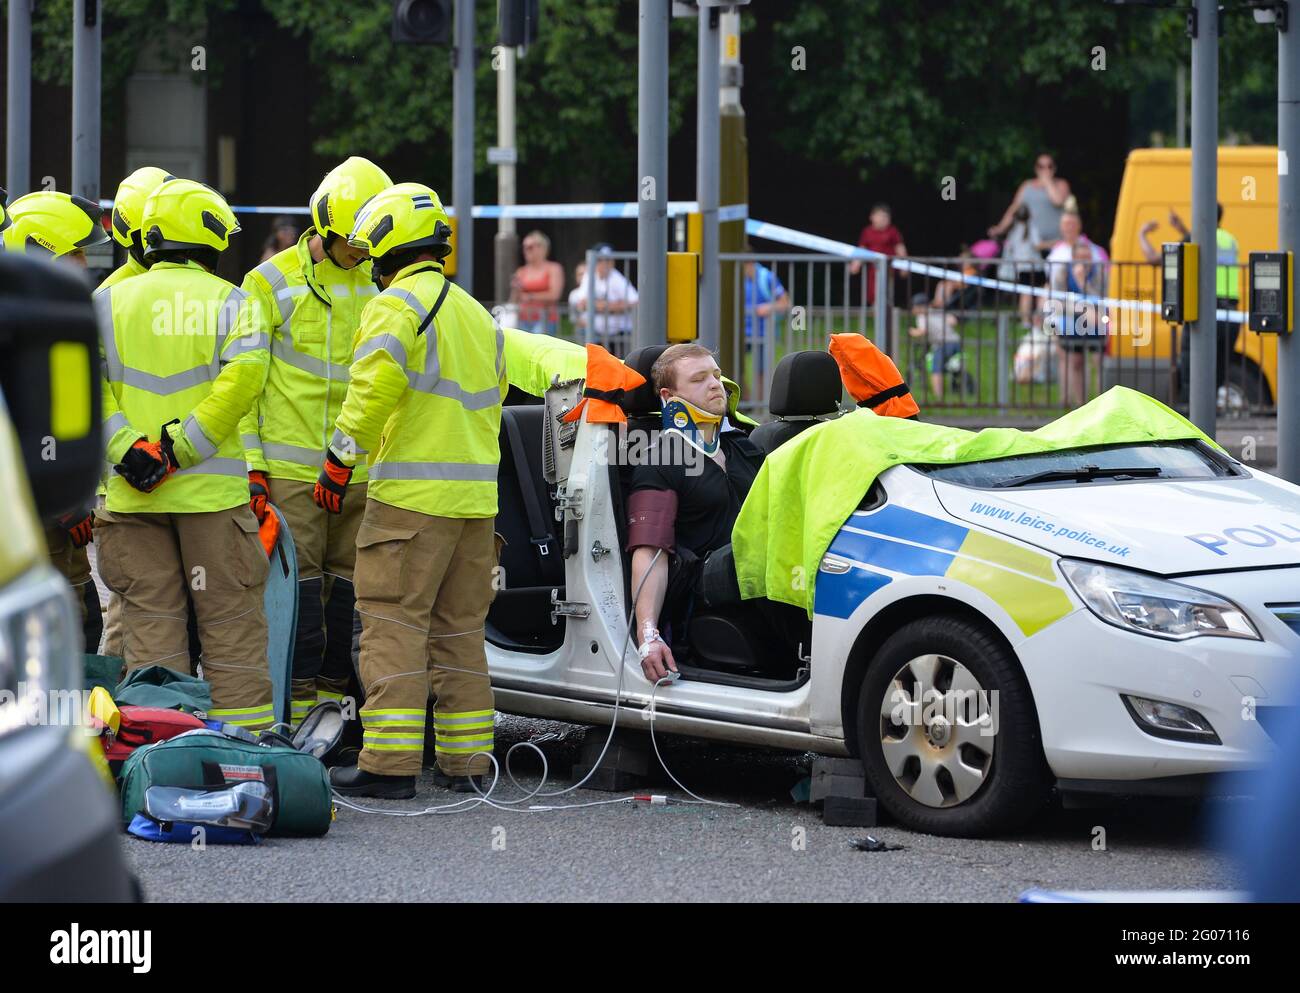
1158, 608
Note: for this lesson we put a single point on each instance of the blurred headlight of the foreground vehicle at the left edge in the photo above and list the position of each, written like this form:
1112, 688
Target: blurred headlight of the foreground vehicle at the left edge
40, 653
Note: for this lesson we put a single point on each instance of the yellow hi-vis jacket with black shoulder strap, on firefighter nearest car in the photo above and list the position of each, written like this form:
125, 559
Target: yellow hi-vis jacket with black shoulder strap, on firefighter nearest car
427, 405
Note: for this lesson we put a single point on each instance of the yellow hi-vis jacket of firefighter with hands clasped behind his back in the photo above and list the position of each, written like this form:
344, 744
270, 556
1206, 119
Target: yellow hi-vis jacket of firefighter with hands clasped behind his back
180, 344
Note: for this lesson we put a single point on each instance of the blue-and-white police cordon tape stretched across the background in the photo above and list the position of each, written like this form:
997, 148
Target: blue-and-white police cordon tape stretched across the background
775, 233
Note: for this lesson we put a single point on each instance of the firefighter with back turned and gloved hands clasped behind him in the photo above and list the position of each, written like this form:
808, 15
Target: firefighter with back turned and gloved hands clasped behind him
184, 355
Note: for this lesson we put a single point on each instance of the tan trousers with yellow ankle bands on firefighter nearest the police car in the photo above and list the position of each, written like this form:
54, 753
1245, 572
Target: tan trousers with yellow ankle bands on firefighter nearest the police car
423, 589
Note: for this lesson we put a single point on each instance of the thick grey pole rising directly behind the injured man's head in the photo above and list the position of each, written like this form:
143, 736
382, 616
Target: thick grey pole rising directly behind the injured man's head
653, 172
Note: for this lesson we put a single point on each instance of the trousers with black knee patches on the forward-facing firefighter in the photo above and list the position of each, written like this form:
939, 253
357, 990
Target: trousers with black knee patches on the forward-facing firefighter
327, 552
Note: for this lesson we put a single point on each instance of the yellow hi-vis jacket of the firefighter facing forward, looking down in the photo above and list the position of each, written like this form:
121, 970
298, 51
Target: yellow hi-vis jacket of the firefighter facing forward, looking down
314, 311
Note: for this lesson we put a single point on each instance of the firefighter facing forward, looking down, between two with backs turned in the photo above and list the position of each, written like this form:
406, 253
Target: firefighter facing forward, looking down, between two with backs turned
314, 296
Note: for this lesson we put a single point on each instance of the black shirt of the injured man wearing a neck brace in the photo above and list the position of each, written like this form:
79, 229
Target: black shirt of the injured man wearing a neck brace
709, 498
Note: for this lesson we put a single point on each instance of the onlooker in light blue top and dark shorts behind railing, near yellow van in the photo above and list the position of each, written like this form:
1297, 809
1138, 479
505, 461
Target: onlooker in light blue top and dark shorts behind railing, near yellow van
1077, 267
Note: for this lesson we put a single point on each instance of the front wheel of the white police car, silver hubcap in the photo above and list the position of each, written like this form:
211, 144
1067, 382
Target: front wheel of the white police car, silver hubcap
948, 732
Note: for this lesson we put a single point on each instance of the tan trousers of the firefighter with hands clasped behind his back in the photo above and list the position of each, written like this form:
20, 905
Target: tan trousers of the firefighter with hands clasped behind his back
148, 558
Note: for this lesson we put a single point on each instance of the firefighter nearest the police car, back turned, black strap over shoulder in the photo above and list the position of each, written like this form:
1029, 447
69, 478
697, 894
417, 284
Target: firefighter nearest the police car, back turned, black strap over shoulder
427, 384
